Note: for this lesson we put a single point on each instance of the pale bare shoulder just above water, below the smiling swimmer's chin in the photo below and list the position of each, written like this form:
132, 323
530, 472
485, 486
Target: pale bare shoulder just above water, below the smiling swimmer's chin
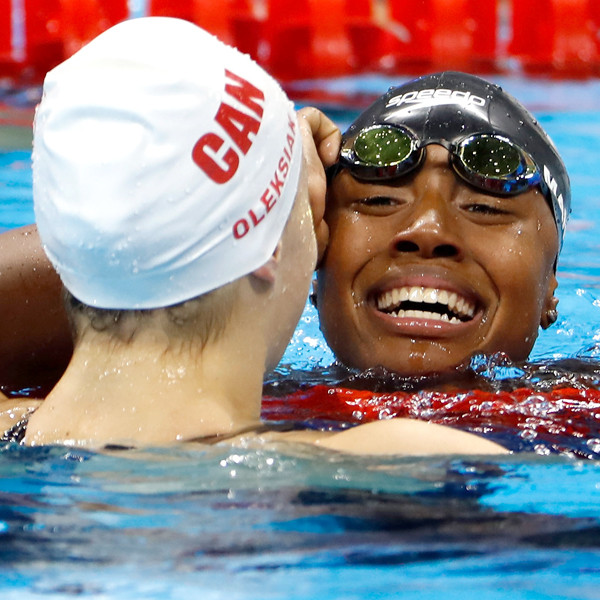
407, 437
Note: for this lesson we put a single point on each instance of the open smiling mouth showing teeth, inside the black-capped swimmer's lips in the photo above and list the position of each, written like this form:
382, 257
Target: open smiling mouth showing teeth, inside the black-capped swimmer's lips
425, 303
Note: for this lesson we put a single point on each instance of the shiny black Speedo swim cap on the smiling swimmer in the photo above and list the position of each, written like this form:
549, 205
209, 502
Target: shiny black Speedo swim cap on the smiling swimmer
453, 105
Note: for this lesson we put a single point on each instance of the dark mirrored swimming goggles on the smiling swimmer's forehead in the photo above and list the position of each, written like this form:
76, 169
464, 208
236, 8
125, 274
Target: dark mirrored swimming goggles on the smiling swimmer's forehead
488, 161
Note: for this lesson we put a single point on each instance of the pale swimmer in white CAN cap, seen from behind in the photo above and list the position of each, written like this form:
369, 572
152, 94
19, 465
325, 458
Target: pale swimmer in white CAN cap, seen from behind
171, 198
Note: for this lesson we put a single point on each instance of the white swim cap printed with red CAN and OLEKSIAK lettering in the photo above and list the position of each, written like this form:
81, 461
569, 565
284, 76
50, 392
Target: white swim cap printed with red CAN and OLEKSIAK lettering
165, 165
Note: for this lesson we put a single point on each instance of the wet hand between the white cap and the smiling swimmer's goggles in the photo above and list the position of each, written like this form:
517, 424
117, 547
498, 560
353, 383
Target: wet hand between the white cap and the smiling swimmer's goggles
321, 144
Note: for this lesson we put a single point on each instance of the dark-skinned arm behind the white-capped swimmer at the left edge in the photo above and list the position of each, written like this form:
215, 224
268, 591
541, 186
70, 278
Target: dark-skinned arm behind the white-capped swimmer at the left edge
35, 344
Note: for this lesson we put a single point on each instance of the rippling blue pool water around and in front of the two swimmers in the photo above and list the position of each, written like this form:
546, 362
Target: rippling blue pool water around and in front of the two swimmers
296, 523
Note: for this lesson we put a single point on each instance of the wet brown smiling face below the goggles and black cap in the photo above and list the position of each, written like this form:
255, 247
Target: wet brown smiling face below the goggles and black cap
485, 262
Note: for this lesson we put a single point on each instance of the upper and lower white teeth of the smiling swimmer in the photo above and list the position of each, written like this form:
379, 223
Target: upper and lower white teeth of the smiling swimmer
456, 304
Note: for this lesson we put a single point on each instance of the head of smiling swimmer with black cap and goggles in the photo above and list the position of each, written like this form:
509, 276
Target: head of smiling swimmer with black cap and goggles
446, 209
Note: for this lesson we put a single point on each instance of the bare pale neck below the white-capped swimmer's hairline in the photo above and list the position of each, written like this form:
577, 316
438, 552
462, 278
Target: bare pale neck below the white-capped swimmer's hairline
153, 390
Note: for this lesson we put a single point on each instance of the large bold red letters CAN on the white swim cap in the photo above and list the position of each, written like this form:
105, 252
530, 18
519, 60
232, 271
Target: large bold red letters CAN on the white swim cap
217, 155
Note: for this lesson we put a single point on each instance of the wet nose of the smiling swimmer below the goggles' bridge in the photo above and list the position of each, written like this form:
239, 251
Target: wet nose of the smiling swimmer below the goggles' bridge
432, 228
